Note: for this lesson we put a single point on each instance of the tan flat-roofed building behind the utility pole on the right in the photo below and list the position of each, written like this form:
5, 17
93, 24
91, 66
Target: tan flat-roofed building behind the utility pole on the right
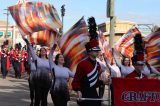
121, 27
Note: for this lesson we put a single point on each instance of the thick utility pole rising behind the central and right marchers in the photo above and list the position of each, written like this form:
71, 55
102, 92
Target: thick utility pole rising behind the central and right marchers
110, 14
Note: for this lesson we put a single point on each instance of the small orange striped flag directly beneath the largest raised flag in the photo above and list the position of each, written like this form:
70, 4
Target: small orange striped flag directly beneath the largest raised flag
44, 38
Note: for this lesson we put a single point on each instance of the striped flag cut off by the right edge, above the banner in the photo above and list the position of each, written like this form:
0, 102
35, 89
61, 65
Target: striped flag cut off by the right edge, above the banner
152, 47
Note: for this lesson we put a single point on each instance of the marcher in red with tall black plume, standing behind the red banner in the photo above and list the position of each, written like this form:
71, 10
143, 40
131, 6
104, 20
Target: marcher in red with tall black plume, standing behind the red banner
138, 58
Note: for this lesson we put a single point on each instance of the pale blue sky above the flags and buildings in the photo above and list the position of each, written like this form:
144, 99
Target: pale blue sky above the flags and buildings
138, 11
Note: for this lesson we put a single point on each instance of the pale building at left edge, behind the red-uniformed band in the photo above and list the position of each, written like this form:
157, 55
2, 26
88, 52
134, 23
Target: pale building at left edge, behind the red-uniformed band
13, 35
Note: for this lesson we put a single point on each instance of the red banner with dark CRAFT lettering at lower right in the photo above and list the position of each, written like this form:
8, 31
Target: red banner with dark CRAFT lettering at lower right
136, 92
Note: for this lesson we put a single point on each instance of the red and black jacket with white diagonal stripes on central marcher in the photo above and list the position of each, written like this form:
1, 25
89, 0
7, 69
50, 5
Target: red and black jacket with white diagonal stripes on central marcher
87, 75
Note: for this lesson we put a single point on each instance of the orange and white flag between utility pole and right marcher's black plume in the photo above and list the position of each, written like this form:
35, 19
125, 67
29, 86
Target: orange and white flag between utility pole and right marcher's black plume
125, 43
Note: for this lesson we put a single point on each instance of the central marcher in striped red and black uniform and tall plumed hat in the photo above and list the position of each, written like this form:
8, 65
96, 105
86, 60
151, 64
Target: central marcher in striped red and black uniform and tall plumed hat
86, 78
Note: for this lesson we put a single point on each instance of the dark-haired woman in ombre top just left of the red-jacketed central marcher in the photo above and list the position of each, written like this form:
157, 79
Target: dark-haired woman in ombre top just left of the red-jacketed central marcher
59, 92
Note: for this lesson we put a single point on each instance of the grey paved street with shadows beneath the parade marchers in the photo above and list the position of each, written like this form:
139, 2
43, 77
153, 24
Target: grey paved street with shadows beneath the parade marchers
15, 92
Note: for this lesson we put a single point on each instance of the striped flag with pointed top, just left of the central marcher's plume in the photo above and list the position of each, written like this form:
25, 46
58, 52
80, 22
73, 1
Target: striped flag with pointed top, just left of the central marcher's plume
72, 44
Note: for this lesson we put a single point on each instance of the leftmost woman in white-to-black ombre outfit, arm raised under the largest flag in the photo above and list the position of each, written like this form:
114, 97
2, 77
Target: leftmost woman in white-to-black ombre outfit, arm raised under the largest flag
40, 79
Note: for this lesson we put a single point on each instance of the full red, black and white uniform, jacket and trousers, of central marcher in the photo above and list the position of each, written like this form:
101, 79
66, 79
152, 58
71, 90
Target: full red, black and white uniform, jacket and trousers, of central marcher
86, 80
